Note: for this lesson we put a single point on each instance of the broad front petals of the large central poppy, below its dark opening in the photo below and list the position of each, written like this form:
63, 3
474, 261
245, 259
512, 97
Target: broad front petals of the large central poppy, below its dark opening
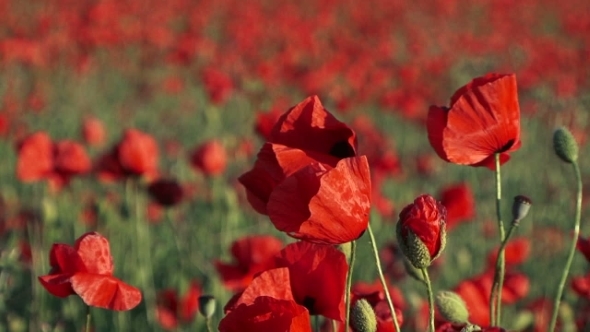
323, 204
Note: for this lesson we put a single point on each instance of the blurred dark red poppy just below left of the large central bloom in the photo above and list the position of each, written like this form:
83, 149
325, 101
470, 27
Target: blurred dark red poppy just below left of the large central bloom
252, 254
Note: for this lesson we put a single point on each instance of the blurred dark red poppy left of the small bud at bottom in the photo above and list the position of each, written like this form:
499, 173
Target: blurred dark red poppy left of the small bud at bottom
172, 310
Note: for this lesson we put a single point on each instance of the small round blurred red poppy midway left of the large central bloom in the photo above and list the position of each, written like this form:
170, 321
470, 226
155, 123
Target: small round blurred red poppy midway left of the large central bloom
210, 158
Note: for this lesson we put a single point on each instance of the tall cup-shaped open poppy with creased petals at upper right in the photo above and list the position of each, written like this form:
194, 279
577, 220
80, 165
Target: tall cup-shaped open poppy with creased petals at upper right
483, 119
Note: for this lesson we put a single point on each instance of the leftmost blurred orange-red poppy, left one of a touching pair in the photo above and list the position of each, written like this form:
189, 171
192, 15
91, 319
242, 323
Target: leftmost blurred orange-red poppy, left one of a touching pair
35, 158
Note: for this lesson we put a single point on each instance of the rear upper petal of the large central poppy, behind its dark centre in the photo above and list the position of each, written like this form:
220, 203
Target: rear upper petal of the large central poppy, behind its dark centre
309, 126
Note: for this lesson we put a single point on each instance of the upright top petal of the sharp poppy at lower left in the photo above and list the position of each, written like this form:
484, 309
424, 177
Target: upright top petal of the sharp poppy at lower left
95, 252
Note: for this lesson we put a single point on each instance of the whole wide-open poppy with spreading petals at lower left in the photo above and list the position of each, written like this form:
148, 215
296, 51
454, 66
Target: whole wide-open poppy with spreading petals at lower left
86, 269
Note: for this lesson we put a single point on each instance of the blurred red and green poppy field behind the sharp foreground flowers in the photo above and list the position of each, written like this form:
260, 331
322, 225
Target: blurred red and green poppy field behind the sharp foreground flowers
193, 88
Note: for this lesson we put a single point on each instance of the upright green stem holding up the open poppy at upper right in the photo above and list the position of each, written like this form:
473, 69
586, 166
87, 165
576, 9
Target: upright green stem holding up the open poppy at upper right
495, 299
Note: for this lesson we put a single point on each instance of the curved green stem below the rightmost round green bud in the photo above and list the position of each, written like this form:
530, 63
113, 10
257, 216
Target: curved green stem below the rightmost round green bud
572, 251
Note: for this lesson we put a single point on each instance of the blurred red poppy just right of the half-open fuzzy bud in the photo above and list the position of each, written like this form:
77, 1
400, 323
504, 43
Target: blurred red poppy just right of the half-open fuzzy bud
460, 204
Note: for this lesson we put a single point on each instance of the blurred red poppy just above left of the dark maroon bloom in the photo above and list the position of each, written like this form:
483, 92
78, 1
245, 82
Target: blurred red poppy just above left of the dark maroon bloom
137, 153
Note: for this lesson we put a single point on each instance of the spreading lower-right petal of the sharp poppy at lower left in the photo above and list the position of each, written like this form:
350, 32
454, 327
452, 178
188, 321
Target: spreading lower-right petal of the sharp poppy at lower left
105, 291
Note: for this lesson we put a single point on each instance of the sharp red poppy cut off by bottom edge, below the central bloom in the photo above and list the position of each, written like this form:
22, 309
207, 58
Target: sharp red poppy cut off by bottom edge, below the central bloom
266, 305
